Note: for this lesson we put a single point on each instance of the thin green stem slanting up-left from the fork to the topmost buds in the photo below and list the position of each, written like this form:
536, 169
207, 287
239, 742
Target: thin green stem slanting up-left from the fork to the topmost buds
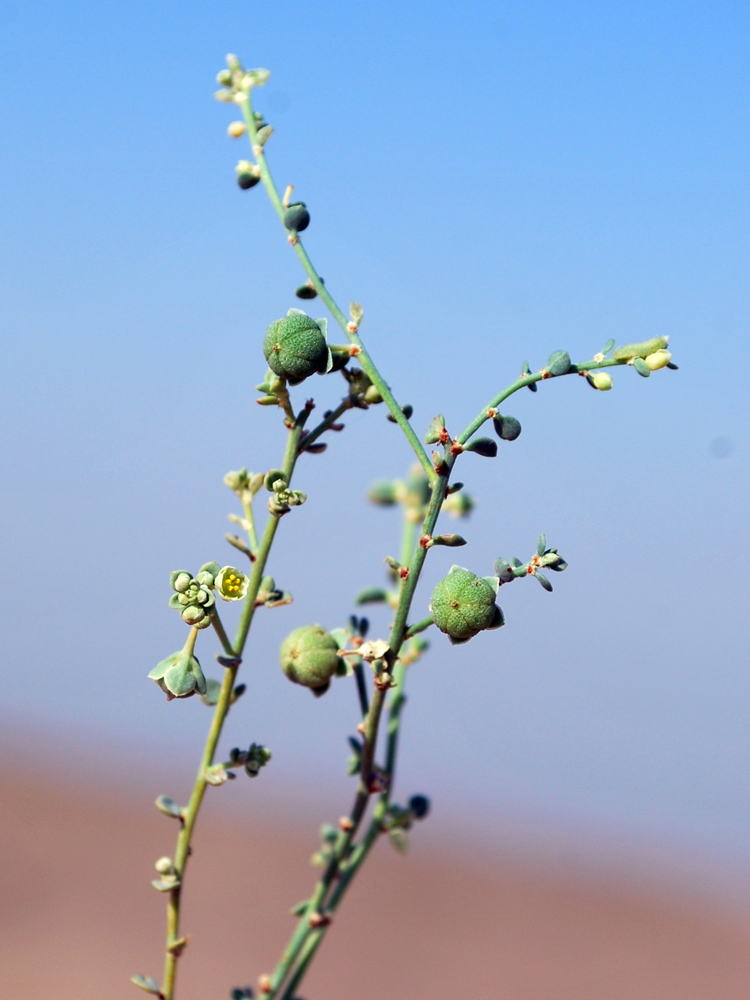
349, 329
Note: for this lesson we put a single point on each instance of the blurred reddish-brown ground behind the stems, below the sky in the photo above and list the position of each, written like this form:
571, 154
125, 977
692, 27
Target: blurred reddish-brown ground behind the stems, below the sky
79, 917
